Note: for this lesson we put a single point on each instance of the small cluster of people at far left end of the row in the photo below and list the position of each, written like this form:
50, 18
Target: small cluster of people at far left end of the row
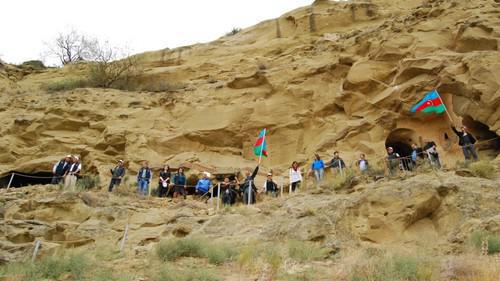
67, 169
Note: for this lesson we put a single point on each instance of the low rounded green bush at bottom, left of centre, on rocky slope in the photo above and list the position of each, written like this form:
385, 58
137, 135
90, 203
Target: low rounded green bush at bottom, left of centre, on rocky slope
216, 253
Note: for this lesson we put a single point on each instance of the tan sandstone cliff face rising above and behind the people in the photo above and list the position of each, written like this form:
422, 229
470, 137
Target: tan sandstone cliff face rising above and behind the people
331, 76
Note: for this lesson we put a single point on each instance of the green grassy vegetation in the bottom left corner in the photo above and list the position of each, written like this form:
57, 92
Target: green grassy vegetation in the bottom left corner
73, 266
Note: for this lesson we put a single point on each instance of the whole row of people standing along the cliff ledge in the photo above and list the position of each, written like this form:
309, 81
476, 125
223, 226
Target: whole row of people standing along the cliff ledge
232, 188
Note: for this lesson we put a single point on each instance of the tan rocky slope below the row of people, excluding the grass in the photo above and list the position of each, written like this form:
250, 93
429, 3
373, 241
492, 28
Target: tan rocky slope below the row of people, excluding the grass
432, 214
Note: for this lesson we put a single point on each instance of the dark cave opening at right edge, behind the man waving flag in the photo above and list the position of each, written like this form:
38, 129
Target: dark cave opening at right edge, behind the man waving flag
488, 141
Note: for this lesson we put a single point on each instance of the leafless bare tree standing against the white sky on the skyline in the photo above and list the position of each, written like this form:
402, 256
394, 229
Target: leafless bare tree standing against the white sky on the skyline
71, 47
